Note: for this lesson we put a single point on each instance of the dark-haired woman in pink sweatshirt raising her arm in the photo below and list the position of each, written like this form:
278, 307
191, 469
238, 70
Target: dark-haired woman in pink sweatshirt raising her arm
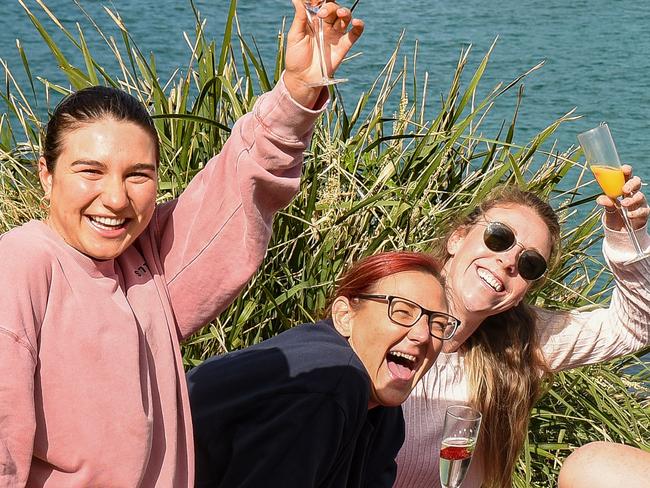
96, 299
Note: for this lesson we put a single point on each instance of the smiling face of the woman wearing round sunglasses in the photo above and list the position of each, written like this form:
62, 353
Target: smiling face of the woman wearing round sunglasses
482, 282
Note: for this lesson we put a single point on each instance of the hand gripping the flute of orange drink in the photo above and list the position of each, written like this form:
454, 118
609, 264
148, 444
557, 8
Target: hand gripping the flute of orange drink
633, 200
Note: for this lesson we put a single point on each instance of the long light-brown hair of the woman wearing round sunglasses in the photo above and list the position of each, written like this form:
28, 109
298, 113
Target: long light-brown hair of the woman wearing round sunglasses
502, 357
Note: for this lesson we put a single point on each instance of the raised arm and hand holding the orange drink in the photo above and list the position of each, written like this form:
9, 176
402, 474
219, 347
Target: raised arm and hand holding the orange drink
571, 339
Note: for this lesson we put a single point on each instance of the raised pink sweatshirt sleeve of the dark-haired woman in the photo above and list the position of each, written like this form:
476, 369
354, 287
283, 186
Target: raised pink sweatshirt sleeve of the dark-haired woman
215, 235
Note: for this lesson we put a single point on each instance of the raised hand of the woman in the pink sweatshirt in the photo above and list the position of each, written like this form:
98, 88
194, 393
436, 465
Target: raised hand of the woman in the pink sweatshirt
302, 62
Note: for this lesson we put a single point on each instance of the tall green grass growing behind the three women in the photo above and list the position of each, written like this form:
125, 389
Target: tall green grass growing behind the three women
374, 179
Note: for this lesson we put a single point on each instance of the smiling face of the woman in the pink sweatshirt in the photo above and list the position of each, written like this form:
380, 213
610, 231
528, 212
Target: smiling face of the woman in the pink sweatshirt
102, 191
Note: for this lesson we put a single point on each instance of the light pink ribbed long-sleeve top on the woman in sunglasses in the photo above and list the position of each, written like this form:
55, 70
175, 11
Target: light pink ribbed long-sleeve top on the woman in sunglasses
568, 340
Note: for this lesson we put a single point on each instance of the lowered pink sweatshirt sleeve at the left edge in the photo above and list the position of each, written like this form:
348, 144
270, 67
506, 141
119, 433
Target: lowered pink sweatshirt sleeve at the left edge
23, 294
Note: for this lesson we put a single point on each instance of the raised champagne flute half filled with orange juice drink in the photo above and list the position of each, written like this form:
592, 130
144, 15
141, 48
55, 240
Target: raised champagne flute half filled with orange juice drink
603, 160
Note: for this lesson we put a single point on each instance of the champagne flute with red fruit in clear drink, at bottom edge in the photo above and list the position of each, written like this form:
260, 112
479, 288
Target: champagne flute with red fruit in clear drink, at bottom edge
459, 436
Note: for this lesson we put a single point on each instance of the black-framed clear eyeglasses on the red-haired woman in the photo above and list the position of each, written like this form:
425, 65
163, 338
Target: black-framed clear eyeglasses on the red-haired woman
406, 313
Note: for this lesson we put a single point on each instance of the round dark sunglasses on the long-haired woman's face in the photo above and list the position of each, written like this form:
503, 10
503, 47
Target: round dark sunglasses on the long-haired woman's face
498, 237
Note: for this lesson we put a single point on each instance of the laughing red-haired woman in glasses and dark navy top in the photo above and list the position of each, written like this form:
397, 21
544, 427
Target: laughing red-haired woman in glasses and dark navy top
319, 404
